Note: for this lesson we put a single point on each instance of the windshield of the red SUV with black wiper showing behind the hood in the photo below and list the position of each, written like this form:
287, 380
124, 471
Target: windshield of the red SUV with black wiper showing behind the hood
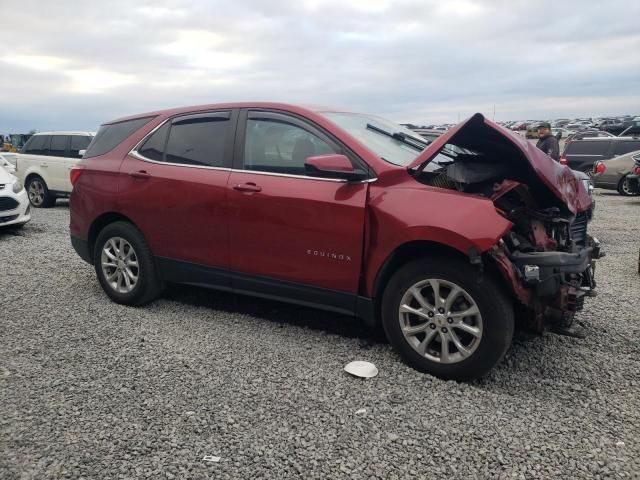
377, 134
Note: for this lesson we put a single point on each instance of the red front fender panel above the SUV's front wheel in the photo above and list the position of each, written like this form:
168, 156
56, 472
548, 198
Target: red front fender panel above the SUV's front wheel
397, 216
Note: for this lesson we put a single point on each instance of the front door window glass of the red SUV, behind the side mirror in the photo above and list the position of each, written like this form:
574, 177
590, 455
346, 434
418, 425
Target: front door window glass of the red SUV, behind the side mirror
280, 147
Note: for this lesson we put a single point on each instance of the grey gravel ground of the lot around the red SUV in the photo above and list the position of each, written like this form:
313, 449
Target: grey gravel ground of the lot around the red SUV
91, 389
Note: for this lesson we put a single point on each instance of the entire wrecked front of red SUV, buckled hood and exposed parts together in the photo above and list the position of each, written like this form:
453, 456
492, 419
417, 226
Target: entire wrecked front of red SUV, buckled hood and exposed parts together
547, 257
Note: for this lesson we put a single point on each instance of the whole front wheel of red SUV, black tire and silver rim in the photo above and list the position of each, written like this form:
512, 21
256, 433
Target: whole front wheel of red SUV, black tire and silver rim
445, 319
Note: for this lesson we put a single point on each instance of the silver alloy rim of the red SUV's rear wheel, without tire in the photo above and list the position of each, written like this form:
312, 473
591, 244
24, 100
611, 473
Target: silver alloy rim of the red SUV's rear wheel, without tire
120, 265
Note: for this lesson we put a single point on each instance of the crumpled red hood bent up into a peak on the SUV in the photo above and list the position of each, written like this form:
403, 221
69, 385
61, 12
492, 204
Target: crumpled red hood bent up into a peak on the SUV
483, 136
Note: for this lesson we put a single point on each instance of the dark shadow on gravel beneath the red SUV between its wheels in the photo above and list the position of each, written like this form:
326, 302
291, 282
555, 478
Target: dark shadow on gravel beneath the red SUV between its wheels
279, 313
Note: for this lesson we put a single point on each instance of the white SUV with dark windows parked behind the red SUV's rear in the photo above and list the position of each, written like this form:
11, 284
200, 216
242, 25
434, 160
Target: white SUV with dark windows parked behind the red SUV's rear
44, 162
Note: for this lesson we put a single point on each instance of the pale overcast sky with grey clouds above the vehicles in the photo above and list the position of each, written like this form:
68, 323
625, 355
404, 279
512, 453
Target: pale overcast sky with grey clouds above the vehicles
75, 64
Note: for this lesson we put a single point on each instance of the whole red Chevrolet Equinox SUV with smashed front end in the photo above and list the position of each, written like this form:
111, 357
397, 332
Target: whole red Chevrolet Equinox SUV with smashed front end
440, 242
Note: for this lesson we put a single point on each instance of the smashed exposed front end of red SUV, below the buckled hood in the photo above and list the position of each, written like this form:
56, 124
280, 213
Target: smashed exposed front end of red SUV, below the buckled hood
547, 257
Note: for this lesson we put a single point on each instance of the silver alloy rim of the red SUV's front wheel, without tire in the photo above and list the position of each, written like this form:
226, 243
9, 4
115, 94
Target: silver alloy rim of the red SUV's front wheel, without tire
440, 320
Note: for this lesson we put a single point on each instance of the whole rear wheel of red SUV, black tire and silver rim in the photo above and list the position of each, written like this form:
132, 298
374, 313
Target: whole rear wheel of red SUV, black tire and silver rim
125, 266
